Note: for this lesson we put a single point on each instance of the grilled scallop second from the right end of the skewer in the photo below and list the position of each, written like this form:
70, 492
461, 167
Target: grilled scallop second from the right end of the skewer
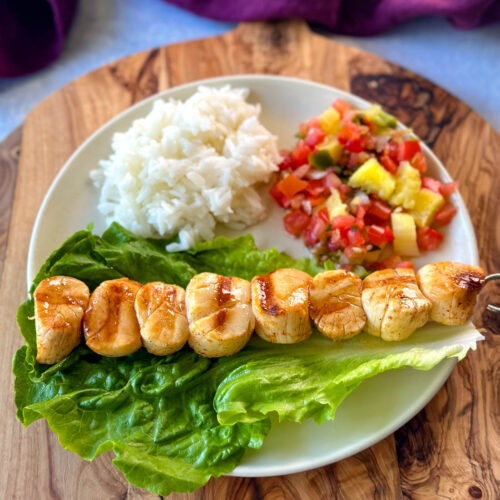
393, 303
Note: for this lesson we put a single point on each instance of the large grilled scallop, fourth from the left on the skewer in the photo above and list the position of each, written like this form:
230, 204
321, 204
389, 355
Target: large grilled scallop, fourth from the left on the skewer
219, 313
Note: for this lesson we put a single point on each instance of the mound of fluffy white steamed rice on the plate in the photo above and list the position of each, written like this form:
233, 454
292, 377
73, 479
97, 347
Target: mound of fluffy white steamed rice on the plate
187, 166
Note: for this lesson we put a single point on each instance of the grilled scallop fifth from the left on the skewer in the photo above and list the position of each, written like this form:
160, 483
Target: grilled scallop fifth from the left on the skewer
280, 303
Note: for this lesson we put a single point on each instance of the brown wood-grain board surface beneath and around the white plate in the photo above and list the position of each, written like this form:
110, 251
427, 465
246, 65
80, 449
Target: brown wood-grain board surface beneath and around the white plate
451, 449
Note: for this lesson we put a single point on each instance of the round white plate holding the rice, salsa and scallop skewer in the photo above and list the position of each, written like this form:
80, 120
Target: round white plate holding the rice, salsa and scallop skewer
371, 412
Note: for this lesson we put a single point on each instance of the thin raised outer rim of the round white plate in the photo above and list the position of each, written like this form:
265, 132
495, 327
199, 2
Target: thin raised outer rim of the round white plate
360, 445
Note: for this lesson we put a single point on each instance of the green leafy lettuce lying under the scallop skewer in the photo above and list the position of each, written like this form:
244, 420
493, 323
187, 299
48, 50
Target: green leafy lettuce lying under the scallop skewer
173, 422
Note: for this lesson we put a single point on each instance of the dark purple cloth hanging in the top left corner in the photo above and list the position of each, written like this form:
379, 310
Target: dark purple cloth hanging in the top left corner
32, 33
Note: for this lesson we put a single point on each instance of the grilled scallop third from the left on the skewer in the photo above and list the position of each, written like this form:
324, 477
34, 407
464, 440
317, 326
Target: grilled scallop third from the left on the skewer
161, 313
